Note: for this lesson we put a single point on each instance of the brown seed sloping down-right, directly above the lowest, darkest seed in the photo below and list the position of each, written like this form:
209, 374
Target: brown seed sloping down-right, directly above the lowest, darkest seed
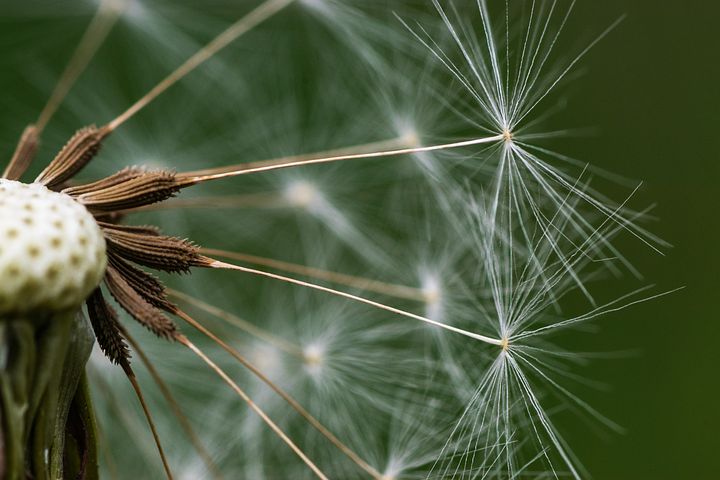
138, 307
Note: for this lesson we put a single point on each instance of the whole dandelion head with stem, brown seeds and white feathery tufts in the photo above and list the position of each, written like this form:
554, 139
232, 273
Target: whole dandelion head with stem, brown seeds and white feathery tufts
358, 357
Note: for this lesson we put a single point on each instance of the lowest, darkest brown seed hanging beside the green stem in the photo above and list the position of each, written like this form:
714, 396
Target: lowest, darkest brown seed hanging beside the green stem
107, 328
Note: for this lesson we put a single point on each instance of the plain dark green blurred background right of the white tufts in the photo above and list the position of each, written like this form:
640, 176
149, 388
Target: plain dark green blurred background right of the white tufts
652, 89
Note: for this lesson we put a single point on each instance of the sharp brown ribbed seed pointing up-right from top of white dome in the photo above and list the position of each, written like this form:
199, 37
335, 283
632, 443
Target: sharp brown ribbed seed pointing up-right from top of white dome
80, 149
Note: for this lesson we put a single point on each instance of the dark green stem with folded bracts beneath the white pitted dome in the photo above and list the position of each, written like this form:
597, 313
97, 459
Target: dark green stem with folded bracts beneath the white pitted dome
42, 362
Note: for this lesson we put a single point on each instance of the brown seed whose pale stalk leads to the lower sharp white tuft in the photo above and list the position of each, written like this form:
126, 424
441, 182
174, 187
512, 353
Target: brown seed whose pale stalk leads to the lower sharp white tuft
170, 254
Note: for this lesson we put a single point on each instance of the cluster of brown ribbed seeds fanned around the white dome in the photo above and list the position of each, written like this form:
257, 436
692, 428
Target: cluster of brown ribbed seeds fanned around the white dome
125, 249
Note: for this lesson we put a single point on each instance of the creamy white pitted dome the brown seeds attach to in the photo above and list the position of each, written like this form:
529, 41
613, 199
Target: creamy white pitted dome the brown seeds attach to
52, 252
